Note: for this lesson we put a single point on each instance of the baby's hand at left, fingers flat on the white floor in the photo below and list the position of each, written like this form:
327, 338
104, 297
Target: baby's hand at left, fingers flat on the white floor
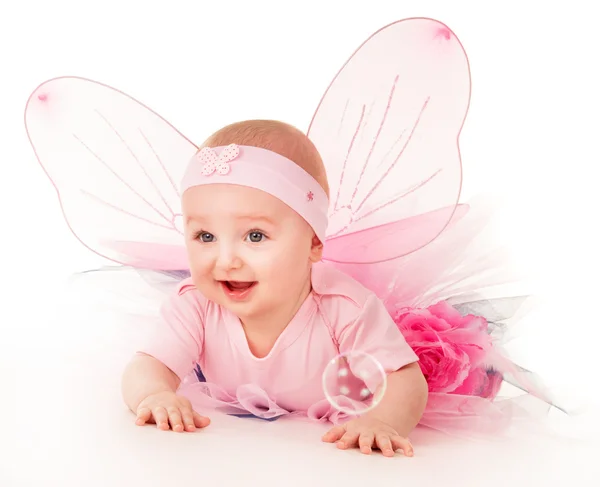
167, 409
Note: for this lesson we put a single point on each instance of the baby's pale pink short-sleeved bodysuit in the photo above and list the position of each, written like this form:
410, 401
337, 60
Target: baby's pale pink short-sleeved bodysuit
339, 316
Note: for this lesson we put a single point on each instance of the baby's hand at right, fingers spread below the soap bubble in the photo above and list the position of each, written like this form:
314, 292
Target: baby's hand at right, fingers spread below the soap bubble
367, 432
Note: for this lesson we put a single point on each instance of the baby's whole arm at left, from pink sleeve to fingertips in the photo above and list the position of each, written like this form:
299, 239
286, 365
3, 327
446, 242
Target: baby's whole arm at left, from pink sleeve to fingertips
151, 379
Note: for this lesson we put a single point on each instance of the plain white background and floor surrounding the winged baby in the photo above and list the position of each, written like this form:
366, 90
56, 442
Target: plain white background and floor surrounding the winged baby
531, 135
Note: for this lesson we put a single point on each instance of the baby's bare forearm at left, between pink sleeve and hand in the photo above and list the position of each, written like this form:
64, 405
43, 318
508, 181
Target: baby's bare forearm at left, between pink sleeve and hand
144, 376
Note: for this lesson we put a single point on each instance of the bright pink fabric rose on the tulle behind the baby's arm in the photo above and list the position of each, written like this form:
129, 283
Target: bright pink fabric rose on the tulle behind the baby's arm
452, 349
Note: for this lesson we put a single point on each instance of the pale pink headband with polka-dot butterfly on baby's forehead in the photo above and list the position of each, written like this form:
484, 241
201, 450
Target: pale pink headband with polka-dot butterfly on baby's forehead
265, 170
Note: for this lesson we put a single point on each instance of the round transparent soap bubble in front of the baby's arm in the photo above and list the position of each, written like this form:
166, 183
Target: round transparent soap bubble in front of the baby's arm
354, 382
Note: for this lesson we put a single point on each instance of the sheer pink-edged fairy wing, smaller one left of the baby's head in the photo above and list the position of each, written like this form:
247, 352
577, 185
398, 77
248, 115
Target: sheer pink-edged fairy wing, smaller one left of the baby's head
116, 166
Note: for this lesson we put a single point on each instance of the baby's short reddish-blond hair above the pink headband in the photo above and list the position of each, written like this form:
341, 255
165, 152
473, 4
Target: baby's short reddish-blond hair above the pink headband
282, 138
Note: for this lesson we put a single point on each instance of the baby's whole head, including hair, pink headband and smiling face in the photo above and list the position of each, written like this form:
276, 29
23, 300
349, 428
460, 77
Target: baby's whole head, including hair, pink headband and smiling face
248, 249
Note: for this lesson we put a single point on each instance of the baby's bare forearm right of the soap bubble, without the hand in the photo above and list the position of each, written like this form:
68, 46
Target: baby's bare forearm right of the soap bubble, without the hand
404, 401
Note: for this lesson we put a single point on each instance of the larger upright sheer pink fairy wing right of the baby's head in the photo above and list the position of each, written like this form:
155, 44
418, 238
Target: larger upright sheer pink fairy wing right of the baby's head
387, 129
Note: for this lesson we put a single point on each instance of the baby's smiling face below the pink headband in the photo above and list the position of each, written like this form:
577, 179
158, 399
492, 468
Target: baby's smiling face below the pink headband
248, 251
